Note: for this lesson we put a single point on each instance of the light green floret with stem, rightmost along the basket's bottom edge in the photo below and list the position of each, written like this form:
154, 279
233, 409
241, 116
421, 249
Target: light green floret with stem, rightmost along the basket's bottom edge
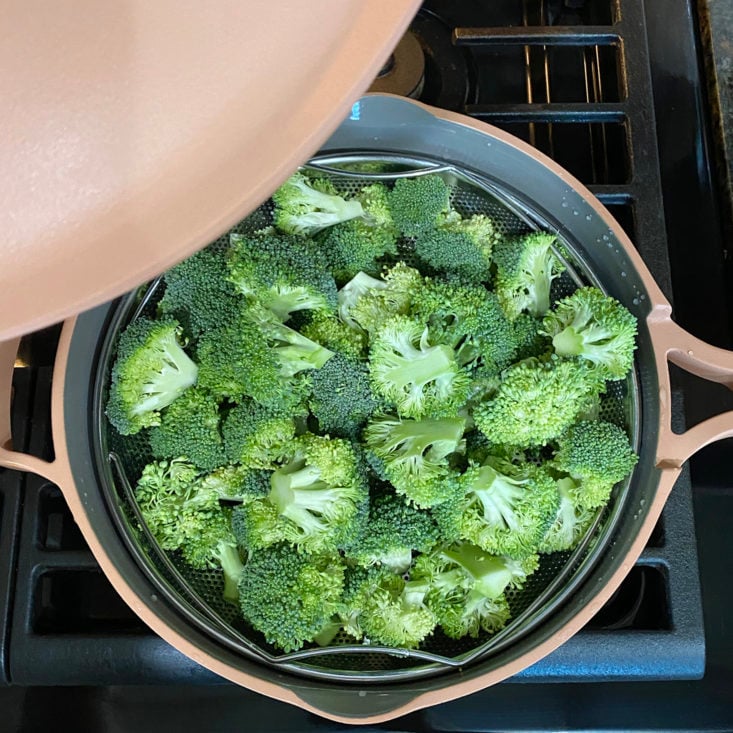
461, 608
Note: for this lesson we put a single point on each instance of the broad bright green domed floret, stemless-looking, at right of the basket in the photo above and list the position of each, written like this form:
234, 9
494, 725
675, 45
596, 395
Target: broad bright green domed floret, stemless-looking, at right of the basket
535, 402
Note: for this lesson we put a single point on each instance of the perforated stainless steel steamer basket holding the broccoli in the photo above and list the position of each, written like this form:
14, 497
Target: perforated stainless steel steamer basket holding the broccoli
197, 595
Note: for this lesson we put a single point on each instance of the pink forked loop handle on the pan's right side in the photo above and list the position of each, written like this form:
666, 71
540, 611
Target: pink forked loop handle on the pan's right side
673, 344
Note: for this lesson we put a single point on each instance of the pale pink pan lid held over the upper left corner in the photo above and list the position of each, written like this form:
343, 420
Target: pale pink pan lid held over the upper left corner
134, 133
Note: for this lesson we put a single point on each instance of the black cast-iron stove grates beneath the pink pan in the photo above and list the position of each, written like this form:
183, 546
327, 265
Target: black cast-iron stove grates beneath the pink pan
573, 79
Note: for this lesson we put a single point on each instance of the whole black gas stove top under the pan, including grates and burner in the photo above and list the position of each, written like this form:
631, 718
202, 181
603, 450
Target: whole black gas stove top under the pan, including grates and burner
611, 90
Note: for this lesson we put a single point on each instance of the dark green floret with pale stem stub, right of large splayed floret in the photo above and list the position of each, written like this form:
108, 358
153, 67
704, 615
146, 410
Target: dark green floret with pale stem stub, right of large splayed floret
394, 530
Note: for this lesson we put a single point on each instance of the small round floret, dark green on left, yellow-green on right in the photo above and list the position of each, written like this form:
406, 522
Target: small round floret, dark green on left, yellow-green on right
255, 436
